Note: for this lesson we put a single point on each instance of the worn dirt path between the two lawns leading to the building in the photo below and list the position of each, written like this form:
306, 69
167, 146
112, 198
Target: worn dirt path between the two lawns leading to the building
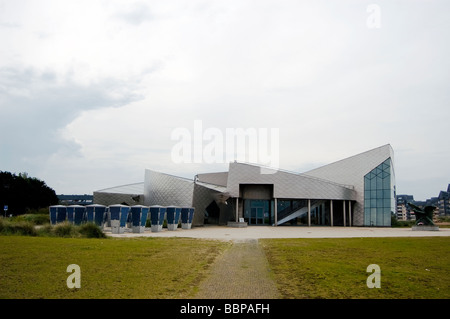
242, 272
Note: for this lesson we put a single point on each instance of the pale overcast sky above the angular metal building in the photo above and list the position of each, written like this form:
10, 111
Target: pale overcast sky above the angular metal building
91, 91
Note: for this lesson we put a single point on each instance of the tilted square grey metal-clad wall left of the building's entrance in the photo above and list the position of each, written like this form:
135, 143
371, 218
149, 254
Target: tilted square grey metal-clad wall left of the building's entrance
165, 190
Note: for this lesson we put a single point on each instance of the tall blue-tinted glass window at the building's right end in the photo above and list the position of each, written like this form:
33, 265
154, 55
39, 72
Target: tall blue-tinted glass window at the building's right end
379, 195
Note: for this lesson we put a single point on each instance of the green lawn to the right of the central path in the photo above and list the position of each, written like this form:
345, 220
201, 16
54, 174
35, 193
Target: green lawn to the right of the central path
336, 268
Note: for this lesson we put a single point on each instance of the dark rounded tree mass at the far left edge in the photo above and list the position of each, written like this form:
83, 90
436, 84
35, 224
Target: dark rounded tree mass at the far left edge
21, 192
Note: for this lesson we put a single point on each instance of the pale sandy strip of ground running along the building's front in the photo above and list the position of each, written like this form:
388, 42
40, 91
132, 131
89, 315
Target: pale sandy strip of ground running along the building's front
256, 232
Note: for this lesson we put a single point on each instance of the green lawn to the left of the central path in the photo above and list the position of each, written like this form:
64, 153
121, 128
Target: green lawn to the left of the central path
35, 267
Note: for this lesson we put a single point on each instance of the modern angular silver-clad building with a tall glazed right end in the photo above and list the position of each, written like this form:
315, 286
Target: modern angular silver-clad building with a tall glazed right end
356, 191
